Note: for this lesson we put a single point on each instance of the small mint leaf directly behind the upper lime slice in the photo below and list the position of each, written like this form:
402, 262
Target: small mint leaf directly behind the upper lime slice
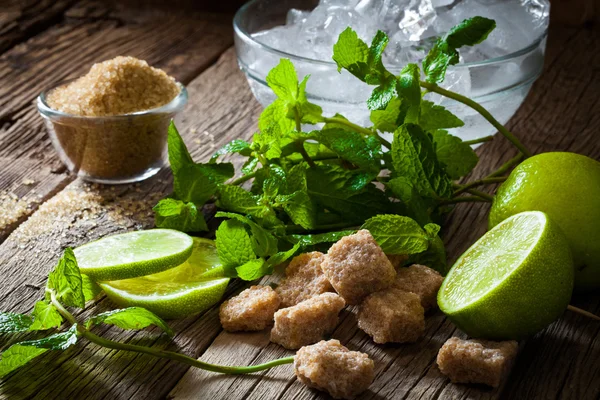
175, 214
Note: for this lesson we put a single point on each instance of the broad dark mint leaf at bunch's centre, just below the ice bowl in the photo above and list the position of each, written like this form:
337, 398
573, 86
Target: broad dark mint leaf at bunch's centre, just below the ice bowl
351, 146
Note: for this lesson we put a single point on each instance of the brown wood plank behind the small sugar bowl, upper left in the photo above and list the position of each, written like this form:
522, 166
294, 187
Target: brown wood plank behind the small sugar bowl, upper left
181, 43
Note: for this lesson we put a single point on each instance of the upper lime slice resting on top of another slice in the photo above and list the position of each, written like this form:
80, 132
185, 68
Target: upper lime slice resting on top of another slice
133, 254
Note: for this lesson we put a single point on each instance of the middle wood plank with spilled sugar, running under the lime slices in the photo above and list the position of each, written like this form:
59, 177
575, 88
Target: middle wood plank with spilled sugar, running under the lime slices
82, 212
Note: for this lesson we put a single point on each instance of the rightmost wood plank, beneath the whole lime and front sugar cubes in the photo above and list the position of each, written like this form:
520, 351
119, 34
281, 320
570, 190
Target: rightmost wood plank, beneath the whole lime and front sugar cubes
547, 121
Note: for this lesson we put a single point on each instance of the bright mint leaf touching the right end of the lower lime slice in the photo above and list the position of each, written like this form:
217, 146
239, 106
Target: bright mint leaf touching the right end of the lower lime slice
234, 245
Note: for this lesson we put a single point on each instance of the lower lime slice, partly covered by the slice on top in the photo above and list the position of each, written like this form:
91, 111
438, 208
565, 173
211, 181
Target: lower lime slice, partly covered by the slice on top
187, 289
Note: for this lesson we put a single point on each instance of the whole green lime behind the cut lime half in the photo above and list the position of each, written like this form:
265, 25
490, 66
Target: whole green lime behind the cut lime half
566, 186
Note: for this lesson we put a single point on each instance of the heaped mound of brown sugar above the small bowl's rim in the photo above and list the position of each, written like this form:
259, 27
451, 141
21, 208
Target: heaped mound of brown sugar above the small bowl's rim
119, 86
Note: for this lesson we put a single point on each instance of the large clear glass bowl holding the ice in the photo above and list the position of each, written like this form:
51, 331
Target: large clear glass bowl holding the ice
500, 84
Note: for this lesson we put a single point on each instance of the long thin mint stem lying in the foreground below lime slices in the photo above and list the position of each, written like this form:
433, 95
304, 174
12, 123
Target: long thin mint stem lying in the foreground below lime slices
170, 355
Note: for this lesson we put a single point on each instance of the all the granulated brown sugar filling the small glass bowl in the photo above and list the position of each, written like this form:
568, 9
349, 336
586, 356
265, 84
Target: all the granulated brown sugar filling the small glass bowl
106, 147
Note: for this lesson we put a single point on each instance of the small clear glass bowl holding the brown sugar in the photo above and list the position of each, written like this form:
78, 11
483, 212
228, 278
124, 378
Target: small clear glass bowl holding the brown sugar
113, 149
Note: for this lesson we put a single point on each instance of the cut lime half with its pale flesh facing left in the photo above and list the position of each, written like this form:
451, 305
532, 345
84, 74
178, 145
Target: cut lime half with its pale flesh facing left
513, 282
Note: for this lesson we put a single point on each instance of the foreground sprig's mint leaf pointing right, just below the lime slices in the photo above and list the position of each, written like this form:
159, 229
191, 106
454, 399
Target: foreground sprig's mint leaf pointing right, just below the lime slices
130, 318
